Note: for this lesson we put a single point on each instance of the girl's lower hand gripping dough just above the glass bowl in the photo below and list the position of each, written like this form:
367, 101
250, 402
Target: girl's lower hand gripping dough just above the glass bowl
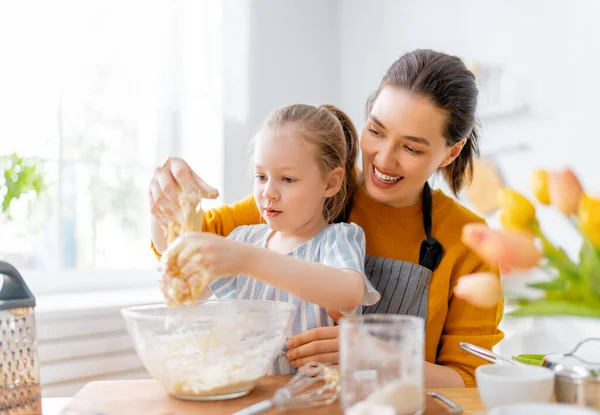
219, 256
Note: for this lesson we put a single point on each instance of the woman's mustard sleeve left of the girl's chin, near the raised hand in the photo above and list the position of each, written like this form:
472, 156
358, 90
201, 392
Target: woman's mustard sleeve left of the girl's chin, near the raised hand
226, 218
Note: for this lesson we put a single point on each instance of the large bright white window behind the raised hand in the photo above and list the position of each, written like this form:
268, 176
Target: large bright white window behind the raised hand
99, 93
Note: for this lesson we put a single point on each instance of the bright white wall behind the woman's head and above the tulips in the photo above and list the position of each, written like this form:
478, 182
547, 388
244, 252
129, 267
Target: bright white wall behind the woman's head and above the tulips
549, 47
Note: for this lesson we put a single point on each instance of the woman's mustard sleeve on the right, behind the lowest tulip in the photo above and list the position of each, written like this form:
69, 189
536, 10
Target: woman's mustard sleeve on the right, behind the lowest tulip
467, 323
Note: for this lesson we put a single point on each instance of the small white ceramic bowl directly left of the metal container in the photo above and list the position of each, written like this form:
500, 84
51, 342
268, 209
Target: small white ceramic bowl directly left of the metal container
502, 384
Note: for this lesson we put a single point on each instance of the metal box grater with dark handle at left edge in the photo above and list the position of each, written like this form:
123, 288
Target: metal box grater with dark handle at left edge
20, 392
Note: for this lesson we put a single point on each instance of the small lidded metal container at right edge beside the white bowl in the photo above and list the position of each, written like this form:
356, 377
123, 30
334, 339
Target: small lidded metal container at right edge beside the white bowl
577, 381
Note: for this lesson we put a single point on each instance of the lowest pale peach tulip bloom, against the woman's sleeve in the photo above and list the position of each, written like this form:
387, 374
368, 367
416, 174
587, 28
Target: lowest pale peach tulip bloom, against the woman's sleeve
482, 289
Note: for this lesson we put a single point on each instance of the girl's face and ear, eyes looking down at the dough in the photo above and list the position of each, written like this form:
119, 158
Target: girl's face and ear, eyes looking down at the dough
289, 187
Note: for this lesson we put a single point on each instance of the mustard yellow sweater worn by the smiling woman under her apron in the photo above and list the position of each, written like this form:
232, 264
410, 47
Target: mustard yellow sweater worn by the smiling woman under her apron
397, 233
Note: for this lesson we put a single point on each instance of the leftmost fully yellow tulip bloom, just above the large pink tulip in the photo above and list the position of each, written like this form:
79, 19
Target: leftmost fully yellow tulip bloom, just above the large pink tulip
518, 213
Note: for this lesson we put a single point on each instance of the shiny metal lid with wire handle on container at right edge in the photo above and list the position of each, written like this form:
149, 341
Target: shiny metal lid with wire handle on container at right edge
576, 365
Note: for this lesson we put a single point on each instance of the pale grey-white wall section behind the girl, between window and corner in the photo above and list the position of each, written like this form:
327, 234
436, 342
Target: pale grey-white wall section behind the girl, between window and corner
275, 53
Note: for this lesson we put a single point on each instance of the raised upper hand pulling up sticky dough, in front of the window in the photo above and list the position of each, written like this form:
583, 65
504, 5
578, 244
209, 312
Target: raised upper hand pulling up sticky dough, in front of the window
168, 182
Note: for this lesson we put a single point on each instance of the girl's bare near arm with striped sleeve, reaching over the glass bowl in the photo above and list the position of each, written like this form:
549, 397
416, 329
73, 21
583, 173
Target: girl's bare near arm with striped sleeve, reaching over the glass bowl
335, 283
